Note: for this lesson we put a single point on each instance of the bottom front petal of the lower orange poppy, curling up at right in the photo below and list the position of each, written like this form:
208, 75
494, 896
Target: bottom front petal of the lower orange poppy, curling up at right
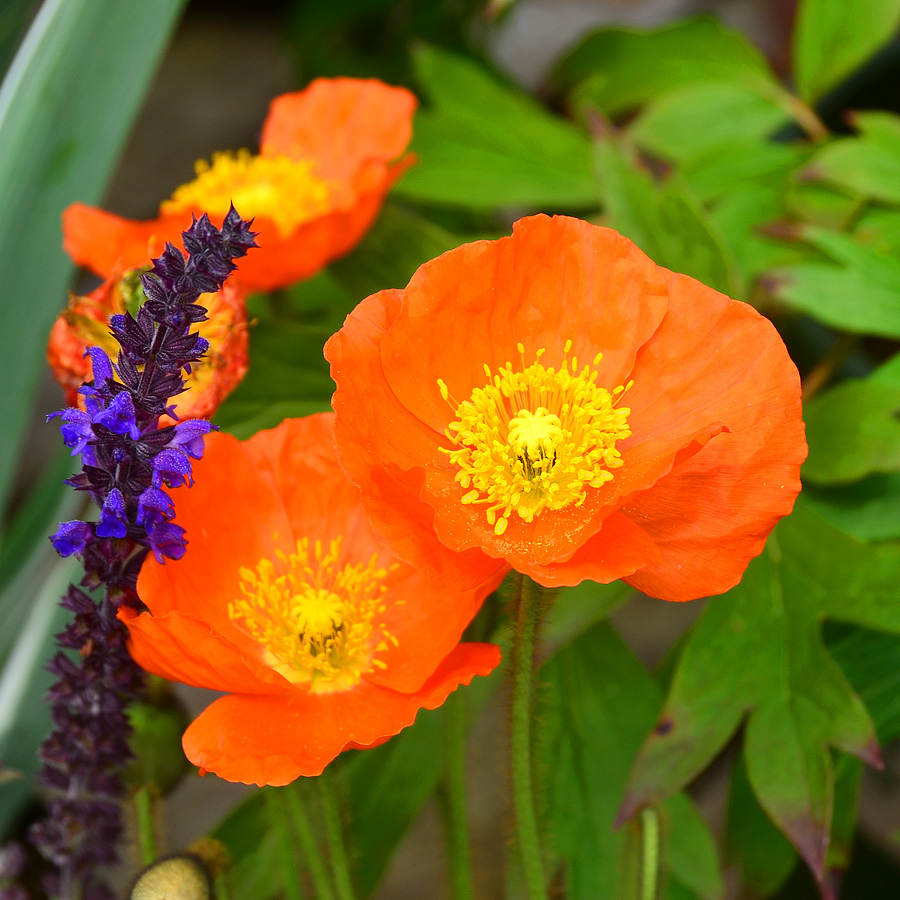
275, 739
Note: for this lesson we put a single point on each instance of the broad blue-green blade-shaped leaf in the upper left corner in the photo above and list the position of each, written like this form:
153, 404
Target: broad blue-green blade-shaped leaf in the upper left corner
65, 112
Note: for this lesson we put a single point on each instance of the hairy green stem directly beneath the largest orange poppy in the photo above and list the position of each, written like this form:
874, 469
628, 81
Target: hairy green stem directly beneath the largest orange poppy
522, 707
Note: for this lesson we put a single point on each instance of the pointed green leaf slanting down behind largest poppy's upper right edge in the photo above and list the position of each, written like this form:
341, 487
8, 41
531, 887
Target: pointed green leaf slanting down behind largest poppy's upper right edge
663, 219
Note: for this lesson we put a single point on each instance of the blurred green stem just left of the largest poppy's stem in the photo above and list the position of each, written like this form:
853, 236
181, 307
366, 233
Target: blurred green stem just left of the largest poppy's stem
453, 798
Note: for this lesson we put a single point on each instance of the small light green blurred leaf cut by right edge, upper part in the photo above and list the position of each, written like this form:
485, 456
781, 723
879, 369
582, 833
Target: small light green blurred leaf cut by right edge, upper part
860, 166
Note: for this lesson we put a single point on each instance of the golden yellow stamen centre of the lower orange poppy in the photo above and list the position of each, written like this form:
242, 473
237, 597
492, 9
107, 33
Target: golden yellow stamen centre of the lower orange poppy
317, 620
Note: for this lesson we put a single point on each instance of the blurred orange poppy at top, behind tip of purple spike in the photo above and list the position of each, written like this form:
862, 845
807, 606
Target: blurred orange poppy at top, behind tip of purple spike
328, 157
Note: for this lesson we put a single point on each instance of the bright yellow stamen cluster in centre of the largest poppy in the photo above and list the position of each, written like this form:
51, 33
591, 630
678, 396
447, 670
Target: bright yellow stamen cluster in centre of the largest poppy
535, 439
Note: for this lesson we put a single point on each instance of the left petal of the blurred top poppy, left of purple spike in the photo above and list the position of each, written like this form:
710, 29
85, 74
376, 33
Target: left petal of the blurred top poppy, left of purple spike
103, 242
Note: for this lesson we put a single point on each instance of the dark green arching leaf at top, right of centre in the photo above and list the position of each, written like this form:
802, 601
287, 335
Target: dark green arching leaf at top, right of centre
621, 69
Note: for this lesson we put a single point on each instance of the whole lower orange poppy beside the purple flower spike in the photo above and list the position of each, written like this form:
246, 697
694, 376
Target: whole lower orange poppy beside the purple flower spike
286, 600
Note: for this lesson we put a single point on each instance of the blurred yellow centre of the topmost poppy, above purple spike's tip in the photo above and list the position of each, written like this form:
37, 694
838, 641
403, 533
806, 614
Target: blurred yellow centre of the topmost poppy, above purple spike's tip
277, 188
